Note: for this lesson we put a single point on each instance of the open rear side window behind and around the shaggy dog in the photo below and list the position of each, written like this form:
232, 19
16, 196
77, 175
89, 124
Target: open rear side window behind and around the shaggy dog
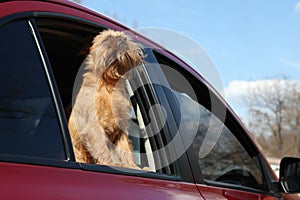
67, 44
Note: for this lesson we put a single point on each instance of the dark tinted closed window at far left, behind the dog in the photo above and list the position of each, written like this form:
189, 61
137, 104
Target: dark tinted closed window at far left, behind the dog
28, 121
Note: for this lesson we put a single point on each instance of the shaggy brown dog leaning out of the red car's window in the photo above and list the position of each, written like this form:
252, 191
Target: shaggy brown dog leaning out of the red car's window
100, 113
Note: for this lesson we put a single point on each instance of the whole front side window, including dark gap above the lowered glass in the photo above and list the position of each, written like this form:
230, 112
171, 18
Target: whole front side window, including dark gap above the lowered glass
220, 155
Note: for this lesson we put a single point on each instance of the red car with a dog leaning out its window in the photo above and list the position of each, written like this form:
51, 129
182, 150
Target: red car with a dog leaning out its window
193, 143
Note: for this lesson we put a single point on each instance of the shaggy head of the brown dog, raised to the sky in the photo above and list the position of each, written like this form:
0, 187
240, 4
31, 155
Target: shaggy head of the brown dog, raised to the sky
112, 54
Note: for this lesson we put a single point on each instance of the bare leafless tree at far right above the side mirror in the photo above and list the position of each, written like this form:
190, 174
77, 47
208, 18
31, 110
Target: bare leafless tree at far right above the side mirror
274, 116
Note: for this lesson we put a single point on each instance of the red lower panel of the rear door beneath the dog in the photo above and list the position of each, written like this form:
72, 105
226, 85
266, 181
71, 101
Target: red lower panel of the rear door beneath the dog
23, 181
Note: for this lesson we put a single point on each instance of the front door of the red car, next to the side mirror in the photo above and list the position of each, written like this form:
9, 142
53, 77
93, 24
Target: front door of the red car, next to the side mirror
225, 160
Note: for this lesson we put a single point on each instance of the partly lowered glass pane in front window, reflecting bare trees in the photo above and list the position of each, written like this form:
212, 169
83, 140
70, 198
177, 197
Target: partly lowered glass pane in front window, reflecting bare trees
220, 156
